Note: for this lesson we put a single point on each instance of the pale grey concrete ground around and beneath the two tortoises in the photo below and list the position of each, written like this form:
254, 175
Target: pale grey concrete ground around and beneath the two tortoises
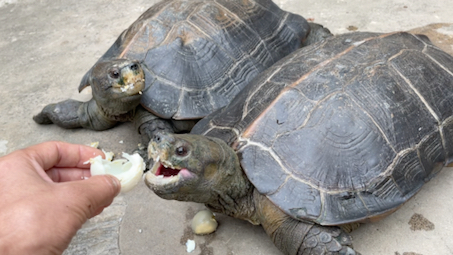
45, 48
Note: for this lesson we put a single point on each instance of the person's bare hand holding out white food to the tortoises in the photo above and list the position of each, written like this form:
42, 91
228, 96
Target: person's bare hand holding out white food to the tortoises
44, 199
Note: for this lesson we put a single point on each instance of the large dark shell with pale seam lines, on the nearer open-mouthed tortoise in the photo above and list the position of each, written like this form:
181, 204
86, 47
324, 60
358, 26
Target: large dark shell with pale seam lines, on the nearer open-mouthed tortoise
344, 130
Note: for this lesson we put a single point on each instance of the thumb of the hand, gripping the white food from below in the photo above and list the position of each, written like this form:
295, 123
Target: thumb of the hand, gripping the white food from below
91, 196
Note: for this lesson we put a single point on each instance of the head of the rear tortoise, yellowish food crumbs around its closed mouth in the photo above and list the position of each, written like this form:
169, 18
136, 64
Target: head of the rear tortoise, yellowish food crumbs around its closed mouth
117, 84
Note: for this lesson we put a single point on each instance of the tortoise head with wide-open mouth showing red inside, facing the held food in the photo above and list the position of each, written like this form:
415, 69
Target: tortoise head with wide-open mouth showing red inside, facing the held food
193, 168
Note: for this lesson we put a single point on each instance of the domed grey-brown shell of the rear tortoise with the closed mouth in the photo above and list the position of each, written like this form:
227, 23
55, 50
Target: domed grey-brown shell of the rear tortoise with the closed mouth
197, 54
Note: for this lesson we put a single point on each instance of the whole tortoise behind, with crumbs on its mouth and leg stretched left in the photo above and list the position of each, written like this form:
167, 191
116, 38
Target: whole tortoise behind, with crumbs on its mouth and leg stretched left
181, 60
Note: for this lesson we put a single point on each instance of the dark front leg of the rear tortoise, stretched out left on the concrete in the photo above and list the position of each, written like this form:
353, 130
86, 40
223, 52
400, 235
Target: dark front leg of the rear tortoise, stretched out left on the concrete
75, 114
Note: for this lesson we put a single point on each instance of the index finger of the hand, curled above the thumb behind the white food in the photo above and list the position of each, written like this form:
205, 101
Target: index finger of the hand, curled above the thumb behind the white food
61, 154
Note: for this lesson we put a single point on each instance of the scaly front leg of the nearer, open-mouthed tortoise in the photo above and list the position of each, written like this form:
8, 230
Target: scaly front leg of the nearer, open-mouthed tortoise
294, 237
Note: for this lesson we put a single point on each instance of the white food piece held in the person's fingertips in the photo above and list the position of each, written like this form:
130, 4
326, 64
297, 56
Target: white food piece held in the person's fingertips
129, 170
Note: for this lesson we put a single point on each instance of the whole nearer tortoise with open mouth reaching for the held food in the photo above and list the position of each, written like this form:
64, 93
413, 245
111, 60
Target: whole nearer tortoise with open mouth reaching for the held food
339, 132
